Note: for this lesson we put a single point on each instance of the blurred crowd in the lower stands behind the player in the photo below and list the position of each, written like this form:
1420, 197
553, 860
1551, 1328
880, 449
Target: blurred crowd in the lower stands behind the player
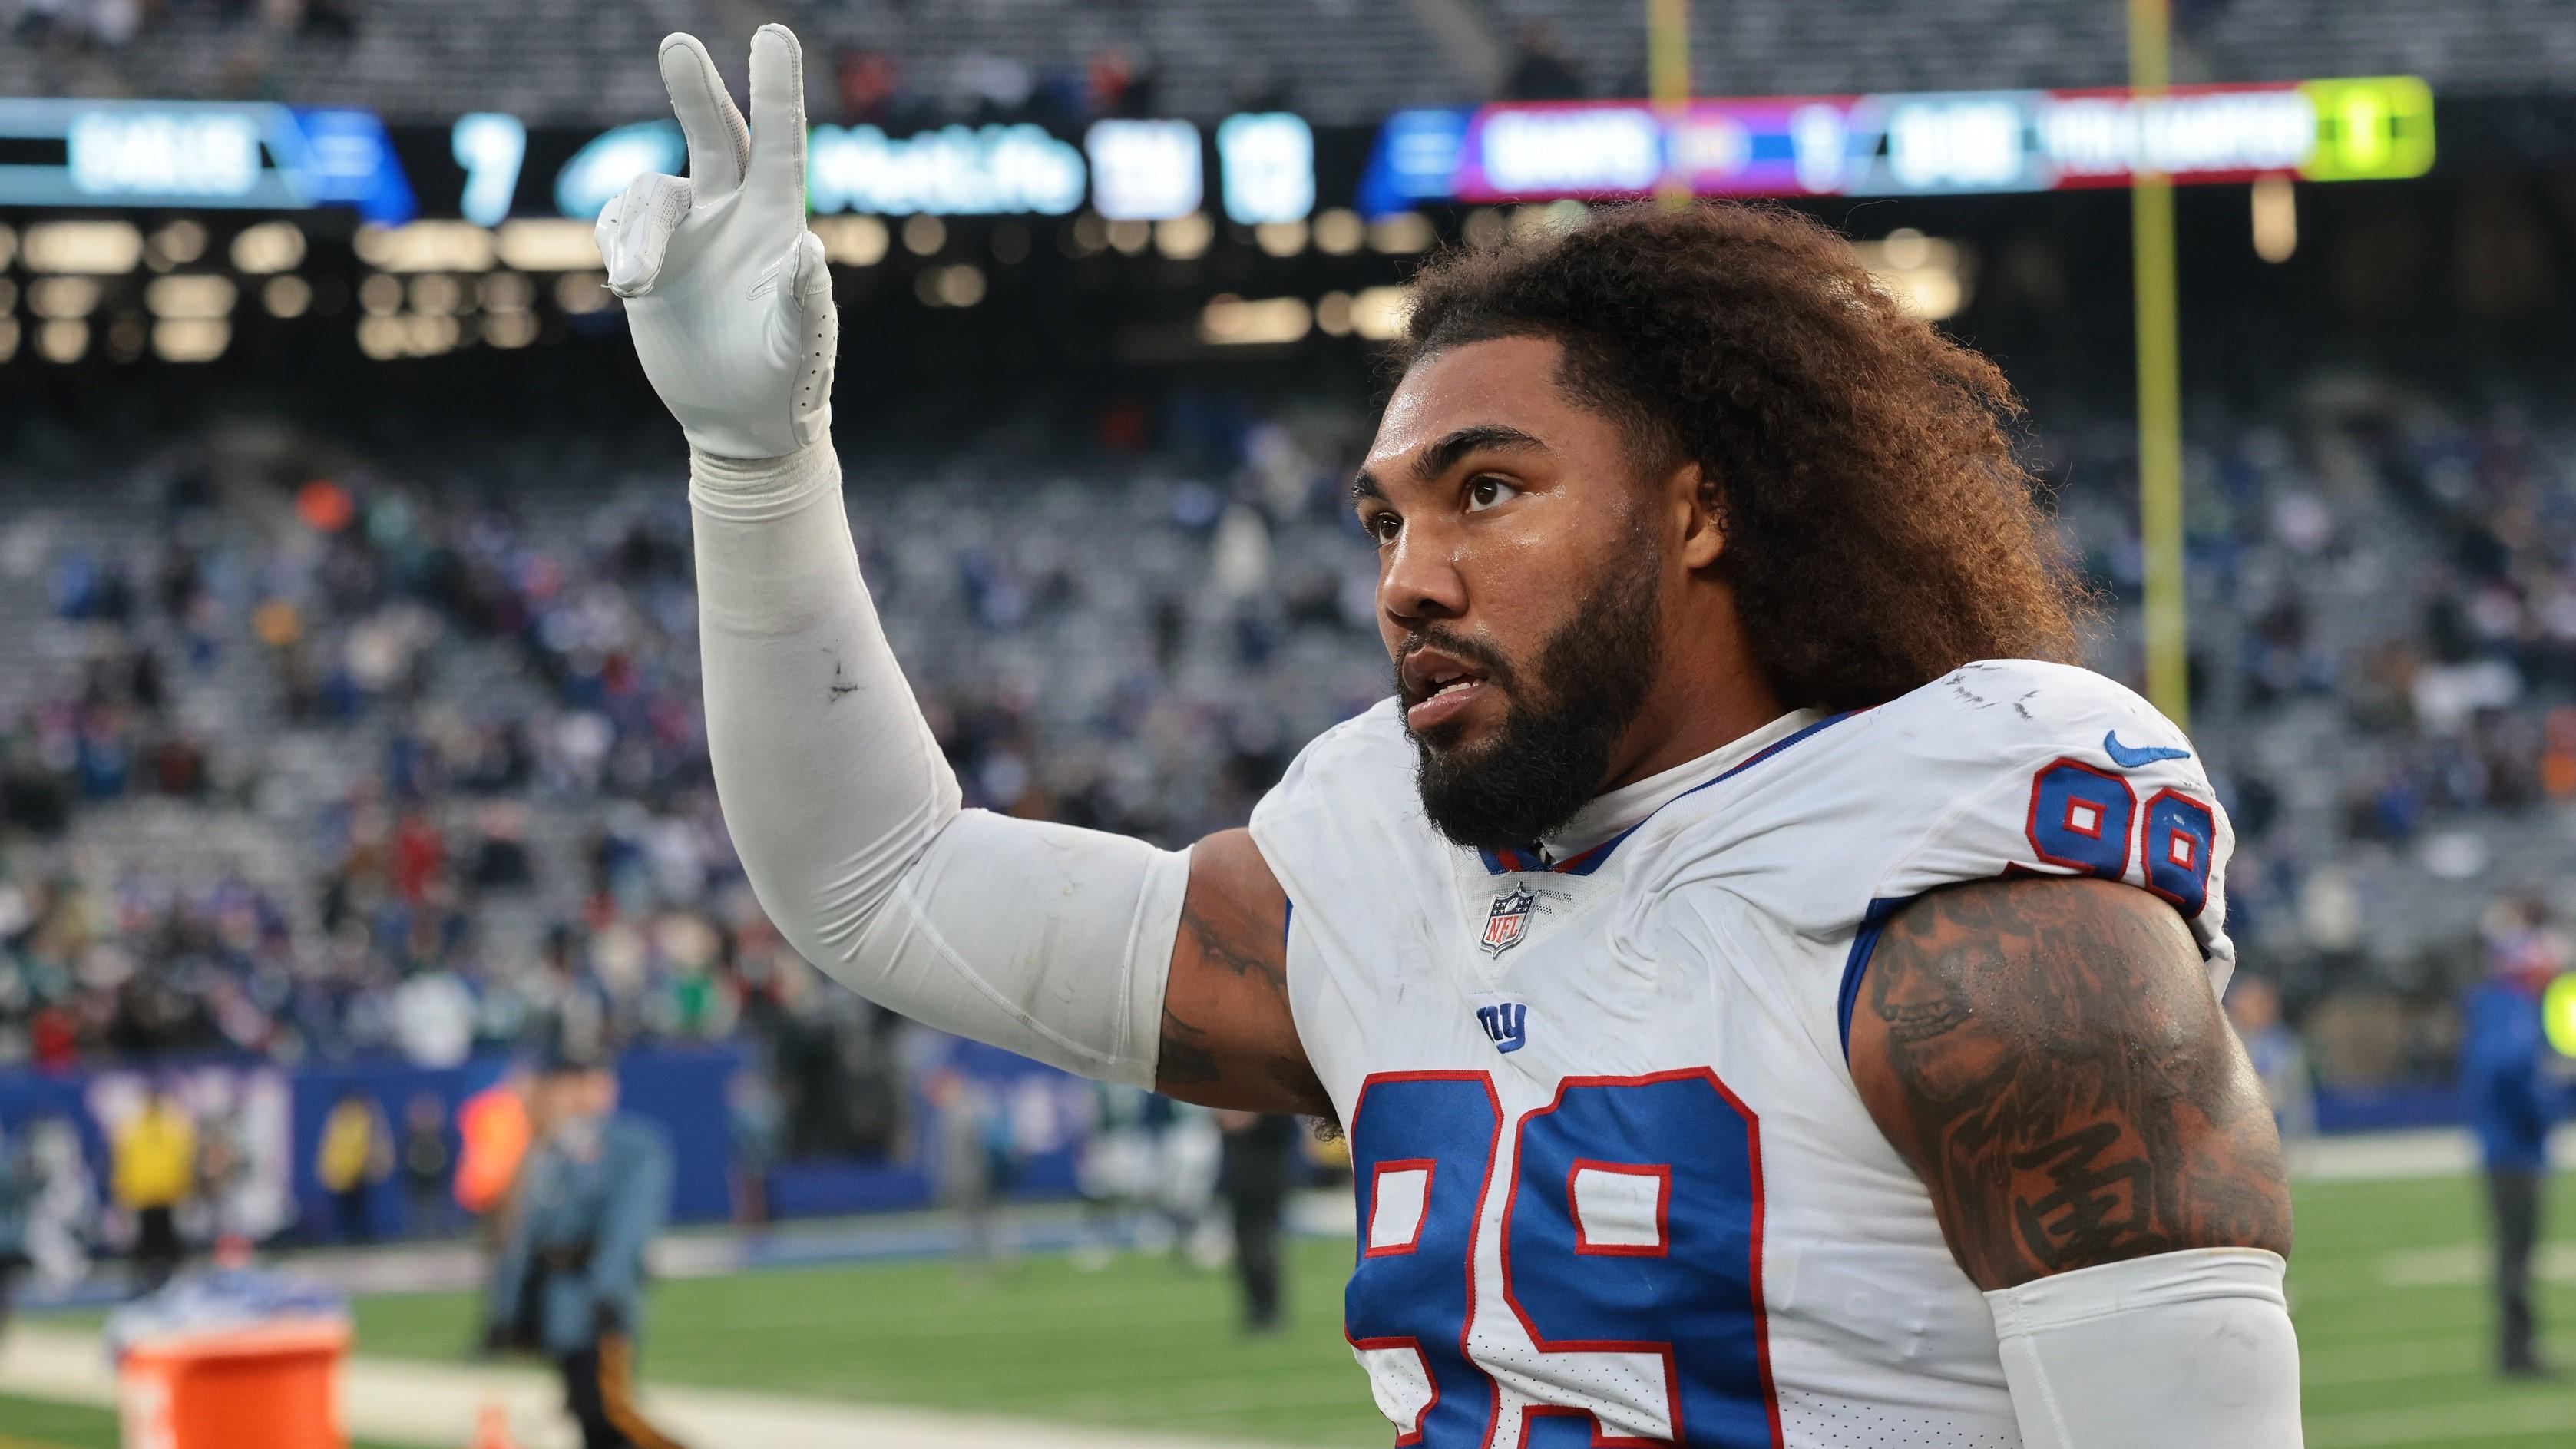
383, 764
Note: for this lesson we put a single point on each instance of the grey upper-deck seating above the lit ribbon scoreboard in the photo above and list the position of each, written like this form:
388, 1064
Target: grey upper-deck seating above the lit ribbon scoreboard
1338, 61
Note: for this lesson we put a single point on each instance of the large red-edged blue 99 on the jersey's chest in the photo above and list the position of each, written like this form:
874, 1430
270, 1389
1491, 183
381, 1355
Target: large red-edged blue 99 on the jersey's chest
1632, 1259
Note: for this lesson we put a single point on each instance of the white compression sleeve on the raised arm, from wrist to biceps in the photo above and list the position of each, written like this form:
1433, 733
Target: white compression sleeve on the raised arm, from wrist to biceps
1034, 937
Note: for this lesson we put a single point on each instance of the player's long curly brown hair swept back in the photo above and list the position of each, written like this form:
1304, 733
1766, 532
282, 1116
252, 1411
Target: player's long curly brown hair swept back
1879, 530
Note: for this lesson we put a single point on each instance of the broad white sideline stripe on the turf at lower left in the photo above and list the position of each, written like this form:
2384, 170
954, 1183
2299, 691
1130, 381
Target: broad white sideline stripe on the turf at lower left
403, 1401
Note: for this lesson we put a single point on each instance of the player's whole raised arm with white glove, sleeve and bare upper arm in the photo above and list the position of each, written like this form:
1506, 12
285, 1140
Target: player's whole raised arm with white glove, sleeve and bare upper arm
1037, 937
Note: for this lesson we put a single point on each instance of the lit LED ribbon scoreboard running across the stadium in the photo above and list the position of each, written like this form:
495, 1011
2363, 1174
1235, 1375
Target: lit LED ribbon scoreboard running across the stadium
1264, 166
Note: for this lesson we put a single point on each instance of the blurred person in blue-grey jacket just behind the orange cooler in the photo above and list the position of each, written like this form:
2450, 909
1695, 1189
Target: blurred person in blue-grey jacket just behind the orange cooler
571, 1275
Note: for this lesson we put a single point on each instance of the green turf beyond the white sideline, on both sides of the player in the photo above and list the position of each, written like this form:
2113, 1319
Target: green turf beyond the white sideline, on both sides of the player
2387, 1283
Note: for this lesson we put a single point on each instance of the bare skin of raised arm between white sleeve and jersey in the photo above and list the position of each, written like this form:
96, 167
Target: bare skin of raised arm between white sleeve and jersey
1227, 1038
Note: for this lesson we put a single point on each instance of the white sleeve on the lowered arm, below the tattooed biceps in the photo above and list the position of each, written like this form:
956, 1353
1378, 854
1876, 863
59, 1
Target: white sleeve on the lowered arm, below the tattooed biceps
2188, 1347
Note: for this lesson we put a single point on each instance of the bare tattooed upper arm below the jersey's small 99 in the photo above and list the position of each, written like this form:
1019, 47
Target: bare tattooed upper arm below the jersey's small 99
2052, 1061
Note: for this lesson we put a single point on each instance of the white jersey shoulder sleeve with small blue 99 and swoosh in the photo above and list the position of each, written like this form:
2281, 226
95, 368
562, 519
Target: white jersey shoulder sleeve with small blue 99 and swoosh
2057, 772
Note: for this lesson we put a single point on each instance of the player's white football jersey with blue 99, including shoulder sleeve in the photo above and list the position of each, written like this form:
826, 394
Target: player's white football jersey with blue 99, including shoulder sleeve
1614, 1177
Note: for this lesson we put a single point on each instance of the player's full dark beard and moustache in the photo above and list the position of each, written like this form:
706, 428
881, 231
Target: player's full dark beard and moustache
1552, 754
